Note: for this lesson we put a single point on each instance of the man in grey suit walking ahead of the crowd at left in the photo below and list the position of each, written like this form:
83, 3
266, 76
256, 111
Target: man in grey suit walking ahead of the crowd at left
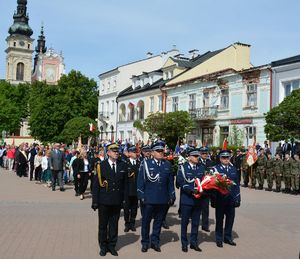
57, 164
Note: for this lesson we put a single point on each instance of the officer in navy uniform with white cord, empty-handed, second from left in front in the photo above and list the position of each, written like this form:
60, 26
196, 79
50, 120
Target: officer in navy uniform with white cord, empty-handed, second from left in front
156, 192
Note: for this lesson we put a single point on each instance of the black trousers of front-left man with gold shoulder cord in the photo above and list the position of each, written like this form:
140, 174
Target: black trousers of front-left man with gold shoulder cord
108, 226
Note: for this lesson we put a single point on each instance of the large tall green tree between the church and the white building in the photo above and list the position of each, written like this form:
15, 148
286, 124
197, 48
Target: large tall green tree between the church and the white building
51, 106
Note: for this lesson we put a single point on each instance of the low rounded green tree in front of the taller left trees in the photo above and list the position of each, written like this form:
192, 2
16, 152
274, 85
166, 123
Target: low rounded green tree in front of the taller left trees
76, 127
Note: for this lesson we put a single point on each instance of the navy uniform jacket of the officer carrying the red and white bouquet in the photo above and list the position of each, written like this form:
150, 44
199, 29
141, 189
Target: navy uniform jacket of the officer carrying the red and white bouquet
186, 187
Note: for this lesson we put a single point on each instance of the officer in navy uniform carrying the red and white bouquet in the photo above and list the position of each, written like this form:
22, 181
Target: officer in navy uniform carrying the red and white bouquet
190, 205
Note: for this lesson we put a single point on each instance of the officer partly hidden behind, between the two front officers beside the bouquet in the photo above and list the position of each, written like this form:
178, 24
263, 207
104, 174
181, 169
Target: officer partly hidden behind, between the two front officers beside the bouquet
208, 164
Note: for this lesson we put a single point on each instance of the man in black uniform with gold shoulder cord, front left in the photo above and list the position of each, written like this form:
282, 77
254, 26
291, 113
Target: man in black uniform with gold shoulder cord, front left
109, 193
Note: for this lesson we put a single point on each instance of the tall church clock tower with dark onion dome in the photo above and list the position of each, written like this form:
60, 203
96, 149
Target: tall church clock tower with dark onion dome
19, 47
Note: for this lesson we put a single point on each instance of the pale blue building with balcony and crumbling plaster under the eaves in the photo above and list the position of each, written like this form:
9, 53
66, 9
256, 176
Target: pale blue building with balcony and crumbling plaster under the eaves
221, 101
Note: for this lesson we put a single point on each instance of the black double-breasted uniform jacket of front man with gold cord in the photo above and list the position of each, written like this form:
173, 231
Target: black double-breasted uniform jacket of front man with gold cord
116, 190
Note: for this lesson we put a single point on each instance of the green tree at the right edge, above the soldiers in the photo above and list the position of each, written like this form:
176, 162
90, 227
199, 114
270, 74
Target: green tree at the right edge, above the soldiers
283, 121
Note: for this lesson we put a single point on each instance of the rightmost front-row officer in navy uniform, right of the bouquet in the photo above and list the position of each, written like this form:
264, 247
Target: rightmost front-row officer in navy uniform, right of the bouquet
226, 204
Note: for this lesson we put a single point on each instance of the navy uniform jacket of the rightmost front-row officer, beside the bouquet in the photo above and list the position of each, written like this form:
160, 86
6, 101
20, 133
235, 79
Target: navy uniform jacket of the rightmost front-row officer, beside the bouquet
234, 194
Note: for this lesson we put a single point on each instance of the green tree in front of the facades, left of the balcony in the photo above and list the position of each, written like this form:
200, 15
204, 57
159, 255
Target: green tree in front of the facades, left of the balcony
171, 126
